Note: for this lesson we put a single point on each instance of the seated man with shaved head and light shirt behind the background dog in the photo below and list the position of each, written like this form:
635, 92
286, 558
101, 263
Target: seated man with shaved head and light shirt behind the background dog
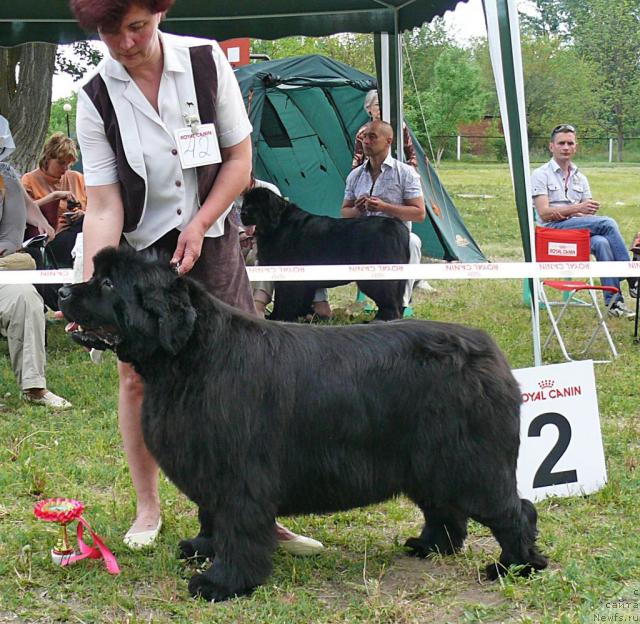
384, 186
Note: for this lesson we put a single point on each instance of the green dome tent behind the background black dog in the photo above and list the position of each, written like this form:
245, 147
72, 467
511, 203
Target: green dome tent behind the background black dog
305, 112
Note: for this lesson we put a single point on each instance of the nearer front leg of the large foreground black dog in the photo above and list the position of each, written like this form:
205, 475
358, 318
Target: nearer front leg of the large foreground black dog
244, 540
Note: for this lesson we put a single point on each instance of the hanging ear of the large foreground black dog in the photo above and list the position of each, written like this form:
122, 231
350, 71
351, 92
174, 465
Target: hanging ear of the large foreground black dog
171, 305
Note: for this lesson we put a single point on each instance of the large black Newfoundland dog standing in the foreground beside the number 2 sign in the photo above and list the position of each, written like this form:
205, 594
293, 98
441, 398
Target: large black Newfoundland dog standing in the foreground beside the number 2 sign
254, 419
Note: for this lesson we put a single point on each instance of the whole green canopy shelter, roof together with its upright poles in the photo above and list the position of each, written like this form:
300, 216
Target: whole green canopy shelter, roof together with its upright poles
50, 20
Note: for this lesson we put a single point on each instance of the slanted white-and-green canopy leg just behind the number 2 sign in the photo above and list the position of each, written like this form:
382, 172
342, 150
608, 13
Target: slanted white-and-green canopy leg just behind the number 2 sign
506, 59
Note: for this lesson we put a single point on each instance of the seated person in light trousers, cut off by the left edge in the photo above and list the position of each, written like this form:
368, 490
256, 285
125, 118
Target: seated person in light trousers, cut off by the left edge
22, 319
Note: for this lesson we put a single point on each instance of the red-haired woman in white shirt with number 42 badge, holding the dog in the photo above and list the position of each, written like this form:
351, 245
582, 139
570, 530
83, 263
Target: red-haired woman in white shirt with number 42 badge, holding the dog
137, 120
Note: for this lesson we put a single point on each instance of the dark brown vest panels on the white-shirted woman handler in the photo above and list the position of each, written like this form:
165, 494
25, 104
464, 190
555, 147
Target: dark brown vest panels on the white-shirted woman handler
132, 186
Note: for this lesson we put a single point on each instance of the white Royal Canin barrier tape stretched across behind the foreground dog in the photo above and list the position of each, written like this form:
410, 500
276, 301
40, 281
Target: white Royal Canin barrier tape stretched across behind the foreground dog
352, 272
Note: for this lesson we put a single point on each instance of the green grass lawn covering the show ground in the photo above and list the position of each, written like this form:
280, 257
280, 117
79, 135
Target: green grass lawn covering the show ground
363, 575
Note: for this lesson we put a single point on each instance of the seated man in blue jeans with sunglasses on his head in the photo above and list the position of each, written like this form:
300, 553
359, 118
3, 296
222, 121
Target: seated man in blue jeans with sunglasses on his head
563, 200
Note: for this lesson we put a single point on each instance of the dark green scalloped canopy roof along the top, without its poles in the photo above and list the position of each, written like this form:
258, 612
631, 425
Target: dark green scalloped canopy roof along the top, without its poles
51, 20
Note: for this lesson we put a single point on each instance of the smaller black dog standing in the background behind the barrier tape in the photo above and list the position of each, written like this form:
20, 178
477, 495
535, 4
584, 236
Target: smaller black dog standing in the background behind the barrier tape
288, 235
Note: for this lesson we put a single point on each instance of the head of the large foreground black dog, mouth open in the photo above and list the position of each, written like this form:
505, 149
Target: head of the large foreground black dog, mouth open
134, 305
